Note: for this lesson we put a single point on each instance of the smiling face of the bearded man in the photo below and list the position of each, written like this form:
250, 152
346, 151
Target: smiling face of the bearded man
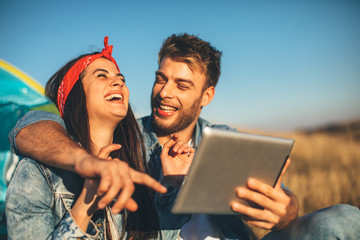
177, 96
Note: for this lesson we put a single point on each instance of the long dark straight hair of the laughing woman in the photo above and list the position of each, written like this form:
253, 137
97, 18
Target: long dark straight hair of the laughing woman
142, 224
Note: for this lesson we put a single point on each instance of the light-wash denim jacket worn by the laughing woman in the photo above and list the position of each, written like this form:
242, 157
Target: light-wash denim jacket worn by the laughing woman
38, 204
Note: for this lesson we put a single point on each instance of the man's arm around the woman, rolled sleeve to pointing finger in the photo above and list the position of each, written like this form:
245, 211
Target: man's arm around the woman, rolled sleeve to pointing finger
47, 142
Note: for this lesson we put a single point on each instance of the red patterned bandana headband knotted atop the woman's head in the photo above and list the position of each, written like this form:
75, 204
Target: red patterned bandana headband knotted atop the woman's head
73, 75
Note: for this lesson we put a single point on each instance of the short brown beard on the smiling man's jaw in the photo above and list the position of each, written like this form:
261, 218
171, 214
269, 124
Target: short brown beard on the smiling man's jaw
184, 119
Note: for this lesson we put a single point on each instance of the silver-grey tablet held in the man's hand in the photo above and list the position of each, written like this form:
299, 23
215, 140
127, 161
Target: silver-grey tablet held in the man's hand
224, 161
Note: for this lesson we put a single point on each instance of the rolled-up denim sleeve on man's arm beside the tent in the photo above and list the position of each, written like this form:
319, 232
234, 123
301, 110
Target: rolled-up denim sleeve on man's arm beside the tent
28, 119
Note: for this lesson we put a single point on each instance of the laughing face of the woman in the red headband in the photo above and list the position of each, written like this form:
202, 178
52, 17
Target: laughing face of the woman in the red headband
107, 96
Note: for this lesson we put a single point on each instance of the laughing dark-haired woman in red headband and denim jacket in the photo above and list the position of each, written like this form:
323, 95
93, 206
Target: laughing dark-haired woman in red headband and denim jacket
46, 202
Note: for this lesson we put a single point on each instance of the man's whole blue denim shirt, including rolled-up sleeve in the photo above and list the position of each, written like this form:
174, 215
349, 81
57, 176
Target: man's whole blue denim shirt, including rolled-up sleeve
229, 226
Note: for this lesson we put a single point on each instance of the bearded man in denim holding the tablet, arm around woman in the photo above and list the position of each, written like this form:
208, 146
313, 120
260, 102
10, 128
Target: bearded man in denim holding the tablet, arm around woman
189, 69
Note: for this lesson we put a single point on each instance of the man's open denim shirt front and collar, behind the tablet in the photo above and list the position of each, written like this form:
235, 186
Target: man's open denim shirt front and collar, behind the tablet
229, 226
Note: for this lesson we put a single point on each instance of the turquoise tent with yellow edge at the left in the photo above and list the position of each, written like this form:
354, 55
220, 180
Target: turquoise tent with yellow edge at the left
18, 94
